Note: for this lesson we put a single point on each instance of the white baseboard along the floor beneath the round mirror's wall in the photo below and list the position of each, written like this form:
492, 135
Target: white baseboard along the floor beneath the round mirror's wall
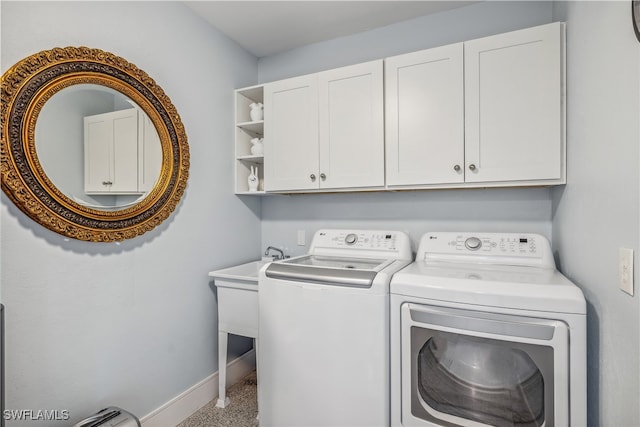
186, 403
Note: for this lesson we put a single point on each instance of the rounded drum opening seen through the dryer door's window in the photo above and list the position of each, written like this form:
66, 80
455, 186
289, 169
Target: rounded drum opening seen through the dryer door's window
478, 381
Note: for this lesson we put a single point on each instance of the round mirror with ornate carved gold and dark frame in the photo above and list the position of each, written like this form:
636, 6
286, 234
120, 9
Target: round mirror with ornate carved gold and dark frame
92, 148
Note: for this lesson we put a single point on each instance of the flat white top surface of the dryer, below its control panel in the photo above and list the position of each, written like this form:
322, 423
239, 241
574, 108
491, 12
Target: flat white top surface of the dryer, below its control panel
514, 287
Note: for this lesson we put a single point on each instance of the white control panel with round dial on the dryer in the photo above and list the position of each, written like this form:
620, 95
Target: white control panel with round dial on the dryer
501, 248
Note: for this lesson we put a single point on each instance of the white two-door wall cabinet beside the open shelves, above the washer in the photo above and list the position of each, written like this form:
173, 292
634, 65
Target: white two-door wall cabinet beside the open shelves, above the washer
325, 131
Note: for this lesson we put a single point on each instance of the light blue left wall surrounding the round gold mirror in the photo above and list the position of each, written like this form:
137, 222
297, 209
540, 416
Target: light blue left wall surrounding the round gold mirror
132, 325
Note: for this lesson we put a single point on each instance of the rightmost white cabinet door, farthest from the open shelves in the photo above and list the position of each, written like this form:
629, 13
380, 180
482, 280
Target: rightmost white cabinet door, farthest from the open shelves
514, 100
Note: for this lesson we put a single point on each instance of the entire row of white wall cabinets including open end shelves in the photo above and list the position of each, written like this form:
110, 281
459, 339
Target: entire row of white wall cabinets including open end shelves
485, 112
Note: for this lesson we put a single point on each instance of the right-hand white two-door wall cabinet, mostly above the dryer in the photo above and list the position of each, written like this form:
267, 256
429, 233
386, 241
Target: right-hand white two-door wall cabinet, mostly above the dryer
480, 113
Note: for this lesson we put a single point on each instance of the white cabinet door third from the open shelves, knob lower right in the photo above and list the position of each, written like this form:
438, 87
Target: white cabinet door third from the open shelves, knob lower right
425, 117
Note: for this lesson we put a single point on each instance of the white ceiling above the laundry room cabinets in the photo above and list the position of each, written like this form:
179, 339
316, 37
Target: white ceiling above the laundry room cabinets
267, 27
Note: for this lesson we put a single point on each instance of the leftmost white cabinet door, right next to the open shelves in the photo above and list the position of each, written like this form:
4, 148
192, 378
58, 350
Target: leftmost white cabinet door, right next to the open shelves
291, 134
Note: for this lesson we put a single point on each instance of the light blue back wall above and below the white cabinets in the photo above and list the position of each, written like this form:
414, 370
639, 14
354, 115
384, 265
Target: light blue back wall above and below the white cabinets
515, 210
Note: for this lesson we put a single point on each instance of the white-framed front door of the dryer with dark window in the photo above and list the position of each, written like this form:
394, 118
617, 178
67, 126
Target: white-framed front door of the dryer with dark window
470, 368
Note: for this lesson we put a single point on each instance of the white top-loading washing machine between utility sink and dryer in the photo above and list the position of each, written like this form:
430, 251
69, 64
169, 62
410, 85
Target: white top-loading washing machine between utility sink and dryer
324, 331
